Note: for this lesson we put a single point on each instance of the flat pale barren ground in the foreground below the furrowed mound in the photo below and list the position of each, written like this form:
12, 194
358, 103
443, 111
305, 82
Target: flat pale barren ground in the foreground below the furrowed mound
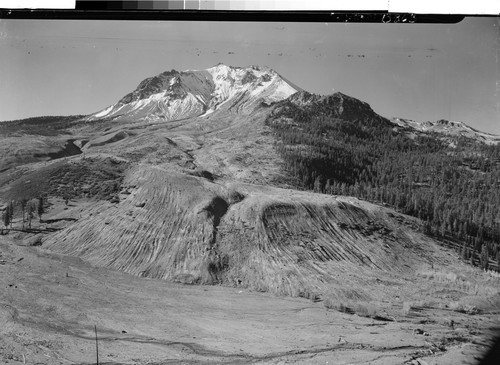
49, 304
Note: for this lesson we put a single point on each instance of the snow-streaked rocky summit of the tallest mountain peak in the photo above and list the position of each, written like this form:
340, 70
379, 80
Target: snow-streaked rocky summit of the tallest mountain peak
175, 95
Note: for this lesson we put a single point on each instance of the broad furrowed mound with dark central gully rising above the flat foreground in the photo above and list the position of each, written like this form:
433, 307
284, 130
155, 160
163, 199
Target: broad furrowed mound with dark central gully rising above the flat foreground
186, 228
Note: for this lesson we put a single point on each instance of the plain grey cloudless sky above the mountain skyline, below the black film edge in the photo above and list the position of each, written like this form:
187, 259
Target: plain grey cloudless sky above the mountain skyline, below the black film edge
421, 72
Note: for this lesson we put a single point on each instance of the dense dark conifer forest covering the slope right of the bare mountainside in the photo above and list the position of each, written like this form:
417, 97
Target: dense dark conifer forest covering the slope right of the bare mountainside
452, 184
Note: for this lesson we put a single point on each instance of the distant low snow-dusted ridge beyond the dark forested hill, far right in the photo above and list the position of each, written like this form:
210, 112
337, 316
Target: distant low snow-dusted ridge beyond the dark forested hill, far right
448, 128
